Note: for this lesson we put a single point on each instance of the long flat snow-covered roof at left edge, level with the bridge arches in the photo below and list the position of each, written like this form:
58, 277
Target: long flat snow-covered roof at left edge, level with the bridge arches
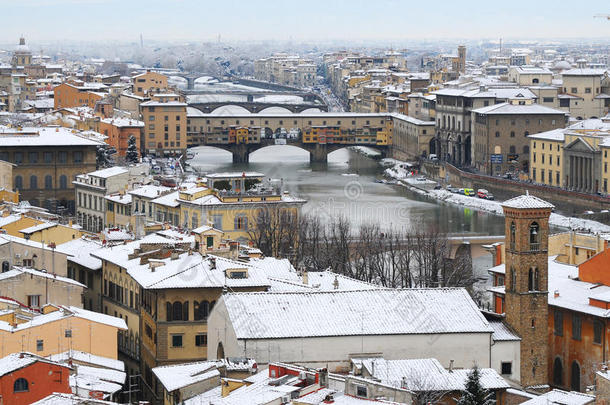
43, 136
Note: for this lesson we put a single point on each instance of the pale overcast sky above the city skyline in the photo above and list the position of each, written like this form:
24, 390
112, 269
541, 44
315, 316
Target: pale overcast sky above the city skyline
41, 20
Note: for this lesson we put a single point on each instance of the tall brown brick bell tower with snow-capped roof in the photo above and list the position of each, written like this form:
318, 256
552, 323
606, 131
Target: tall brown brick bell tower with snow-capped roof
526, 263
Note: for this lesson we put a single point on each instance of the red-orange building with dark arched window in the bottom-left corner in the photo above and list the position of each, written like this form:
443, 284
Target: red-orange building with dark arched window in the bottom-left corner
26, 378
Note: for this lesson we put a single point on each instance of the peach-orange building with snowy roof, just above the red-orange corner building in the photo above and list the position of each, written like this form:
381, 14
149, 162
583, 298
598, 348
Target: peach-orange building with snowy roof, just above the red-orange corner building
59, 329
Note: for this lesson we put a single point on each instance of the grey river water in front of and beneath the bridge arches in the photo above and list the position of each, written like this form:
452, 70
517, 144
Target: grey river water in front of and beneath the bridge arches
346, 186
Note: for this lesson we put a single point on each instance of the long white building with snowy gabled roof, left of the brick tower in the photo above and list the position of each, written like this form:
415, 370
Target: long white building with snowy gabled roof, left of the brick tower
317, 329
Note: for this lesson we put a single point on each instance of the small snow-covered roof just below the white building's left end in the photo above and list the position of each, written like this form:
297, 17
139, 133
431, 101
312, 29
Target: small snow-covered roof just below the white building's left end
182, 375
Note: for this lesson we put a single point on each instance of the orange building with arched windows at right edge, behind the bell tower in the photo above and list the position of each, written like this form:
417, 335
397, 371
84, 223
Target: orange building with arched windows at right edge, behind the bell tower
578, 319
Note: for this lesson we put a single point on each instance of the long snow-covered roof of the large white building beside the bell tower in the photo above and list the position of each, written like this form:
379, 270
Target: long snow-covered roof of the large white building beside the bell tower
341, 313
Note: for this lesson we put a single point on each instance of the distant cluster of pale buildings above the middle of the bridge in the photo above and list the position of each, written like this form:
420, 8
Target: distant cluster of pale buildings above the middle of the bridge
288, 70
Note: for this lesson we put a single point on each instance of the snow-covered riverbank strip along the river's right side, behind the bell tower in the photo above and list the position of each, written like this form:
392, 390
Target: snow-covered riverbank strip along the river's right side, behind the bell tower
495, 207
